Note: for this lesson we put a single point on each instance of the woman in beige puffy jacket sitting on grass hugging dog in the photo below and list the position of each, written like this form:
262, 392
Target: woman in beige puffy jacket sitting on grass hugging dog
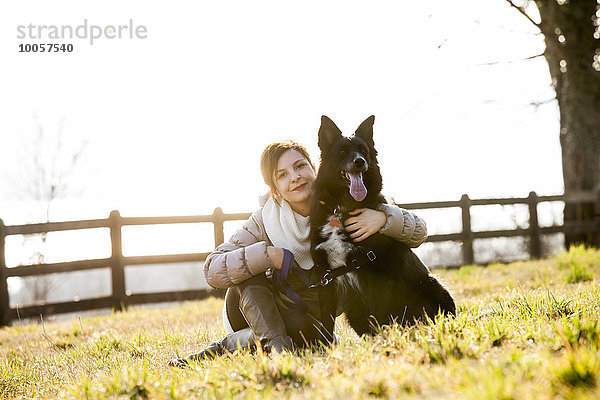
252, 312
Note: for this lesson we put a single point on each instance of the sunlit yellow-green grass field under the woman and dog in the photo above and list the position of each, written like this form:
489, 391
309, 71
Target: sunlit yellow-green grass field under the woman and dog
524, 330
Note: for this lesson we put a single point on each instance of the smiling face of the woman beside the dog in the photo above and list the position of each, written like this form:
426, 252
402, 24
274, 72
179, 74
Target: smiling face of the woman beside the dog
294, 178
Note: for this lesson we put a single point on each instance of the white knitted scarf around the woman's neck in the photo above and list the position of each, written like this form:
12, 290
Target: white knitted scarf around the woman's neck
289, 230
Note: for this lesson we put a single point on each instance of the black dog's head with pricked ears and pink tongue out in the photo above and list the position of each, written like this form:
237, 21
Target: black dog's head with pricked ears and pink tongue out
349, 163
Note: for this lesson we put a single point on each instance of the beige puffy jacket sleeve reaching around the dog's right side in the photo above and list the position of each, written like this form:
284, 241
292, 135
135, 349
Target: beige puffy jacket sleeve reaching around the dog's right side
403, 225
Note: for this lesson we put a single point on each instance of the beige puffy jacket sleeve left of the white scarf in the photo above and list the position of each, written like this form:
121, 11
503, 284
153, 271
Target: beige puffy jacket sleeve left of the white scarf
242, 257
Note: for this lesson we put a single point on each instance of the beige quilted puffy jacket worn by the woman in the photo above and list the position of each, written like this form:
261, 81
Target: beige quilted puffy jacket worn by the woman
245, 254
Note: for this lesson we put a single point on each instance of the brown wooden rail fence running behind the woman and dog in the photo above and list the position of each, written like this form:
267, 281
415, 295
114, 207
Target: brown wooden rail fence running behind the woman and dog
117, 262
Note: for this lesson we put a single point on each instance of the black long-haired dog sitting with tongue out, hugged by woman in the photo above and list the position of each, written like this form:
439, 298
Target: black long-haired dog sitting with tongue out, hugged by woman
396, 286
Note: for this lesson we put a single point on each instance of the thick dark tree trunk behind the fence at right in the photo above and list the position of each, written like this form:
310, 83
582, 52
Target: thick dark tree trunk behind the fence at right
573, 55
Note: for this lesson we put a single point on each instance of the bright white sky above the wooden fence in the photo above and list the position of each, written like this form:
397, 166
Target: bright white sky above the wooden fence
175, 123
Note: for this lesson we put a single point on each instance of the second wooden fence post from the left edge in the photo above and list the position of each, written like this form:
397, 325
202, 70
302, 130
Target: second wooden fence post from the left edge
117, 268
